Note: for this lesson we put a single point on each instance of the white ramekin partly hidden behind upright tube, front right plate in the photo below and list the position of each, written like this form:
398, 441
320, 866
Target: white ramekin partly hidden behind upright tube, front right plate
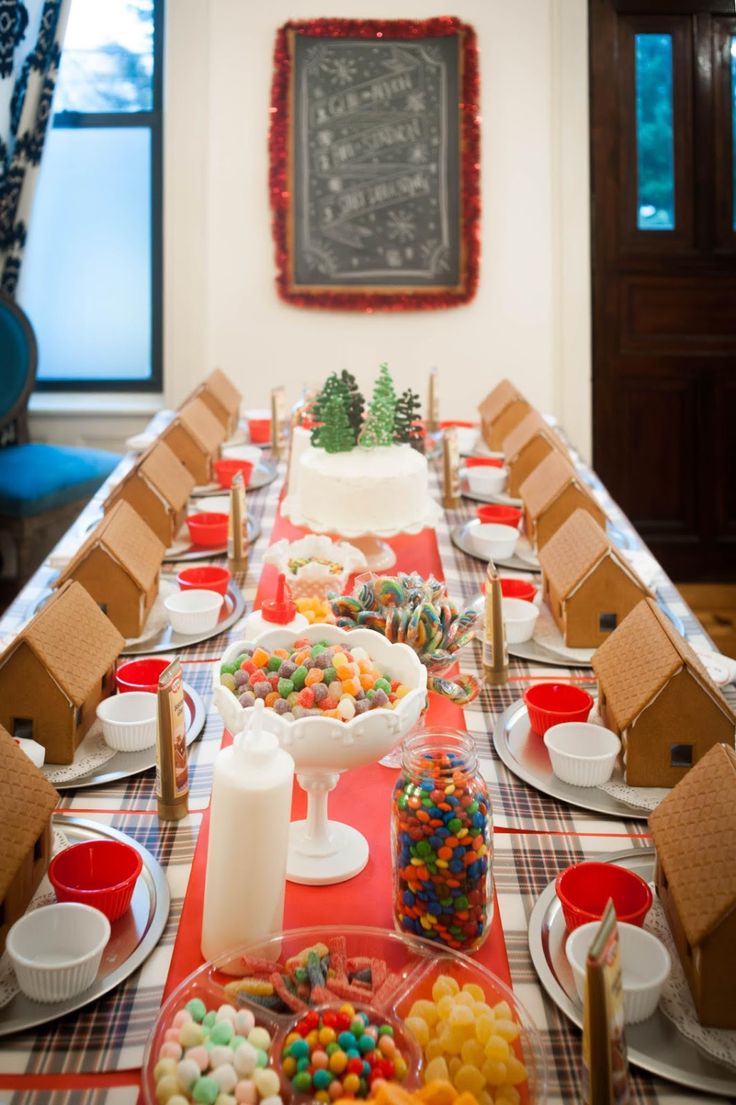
646, 967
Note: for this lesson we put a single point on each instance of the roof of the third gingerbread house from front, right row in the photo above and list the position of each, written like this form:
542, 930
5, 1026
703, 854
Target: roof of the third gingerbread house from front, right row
575, 551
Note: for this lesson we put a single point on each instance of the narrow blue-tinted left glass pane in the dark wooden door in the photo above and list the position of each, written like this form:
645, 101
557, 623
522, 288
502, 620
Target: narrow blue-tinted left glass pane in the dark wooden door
656, 208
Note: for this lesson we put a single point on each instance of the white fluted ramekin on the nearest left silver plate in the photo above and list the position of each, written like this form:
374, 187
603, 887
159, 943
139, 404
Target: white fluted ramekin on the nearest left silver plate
57, 950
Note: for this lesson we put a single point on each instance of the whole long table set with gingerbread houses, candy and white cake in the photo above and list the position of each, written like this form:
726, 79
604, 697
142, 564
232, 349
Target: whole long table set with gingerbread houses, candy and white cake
341, 811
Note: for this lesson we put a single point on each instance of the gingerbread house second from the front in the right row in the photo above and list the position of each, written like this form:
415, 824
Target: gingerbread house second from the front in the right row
656, 696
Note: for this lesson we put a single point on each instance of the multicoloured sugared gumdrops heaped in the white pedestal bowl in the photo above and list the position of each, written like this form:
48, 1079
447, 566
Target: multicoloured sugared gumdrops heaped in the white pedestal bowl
312, 679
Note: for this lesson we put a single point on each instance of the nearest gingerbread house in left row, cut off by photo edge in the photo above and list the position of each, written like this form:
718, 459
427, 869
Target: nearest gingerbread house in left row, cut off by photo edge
27, 803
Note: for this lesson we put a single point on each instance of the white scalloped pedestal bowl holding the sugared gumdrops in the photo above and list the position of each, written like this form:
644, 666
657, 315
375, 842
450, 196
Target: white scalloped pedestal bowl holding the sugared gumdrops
323, 851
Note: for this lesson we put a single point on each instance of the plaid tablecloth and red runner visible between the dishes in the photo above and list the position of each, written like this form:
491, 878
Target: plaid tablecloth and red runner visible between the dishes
94, 1057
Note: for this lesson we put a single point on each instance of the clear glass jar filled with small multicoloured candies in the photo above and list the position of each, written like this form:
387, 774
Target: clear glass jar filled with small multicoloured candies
443, 841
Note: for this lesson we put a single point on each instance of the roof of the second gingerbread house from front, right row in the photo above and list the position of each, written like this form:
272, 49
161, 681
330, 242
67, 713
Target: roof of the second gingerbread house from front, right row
638, 660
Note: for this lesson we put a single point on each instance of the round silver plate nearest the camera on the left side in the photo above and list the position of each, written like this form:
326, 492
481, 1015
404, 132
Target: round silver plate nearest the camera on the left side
133, 938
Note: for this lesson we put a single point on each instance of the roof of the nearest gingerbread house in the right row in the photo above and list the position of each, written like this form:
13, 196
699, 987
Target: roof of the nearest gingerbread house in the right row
695, 830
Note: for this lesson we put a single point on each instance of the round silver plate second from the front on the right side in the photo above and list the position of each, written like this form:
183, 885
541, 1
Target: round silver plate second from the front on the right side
525, 755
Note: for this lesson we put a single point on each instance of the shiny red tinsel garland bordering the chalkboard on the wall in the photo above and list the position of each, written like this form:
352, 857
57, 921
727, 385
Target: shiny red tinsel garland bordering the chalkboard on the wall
378, 299
